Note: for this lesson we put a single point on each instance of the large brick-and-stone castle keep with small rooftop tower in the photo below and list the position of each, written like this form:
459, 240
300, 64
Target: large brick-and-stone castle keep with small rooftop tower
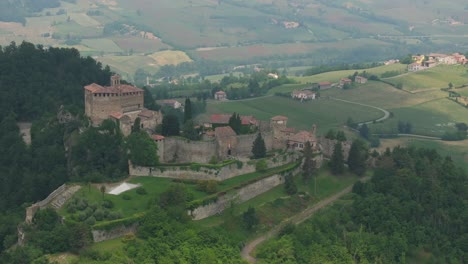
120, 102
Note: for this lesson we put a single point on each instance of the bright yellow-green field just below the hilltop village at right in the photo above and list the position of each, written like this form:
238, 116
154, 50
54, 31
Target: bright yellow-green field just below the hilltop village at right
437, 77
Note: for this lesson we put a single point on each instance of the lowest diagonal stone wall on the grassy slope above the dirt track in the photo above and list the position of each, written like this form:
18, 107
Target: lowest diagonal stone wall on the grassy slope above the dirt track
244, 194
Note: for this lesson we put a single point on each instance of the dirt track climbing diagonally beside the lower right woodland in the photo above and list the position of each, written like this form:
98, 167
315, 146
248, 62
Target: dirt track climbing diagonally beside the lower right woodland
296, 219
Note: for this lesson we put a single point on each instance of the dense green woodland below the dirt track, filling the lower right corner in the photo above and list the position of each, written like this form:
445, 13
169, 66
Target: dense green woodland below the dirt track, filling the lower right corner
416, 202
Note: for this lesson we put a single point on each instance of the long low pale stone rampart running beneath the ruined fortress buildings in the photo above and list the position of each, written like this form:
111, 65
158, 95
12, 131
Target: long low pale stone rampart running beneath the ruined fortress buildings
205, 173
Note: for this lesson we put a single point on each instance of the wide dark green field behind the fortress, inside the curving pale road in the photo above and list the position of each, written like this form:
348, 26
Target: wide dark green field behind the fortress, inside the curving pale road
324, 113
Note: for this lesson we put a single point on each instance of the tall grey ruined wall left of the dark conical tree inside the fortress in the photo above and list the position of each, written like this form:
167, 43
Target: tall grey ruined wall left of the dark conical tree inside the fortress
175, 149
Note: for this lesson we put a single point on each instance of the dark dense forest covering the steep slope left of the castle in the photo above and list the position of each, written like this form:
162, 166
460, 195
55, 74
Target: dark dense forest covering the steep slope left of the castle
34, 83
